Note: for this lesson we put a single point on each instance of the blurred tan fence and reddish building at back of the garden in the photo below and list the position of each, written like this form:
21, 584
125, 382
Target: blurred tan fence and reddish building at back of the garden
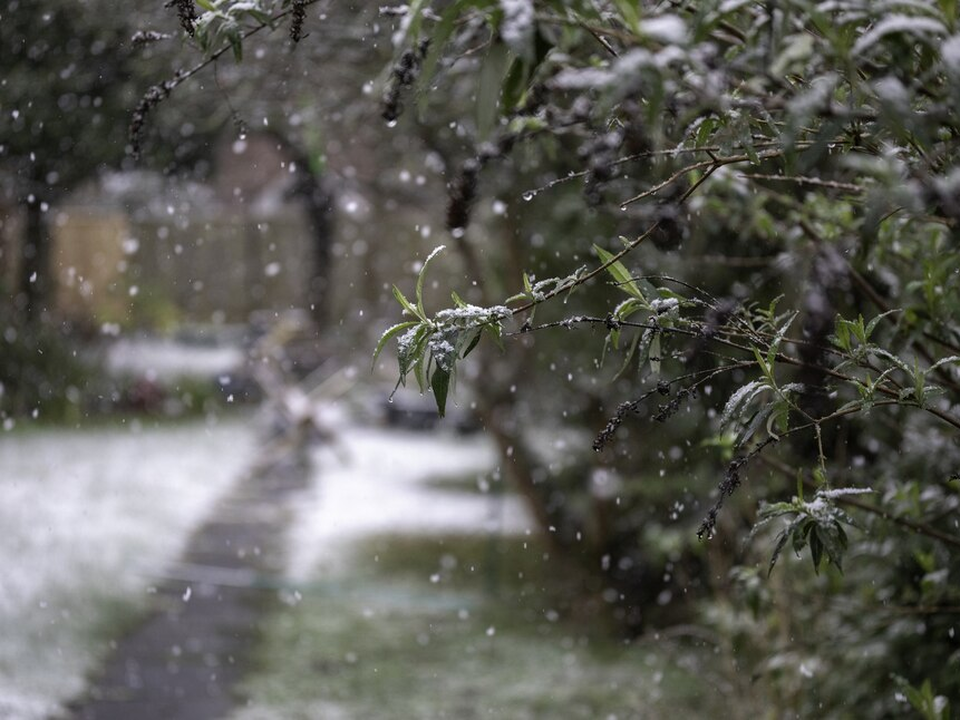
143, 250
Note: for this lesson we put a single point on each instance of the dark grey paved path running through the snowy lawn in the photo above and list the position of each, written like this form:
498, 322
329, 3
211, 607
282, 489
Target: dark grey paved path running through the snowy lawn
184, 661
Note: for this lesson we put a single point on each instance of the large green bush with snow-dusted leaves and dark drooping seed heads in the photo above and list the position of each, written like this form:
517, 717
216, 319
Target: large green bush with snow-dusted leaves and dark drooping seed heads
738, 221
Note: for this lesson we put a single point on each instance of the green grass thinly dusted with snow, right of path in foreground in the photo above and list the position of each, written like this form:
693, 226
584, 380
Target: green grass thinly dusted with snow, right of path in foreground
461, 627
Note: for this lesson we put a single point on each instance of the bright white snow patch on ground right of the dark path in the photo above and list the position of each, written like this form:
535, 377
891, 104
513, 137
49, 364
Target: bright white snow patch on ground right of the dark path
375, 483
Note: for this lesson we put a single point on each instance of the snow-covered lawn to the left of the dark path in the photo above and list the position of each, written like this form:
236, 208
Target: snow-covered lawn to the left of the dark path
87, 518
